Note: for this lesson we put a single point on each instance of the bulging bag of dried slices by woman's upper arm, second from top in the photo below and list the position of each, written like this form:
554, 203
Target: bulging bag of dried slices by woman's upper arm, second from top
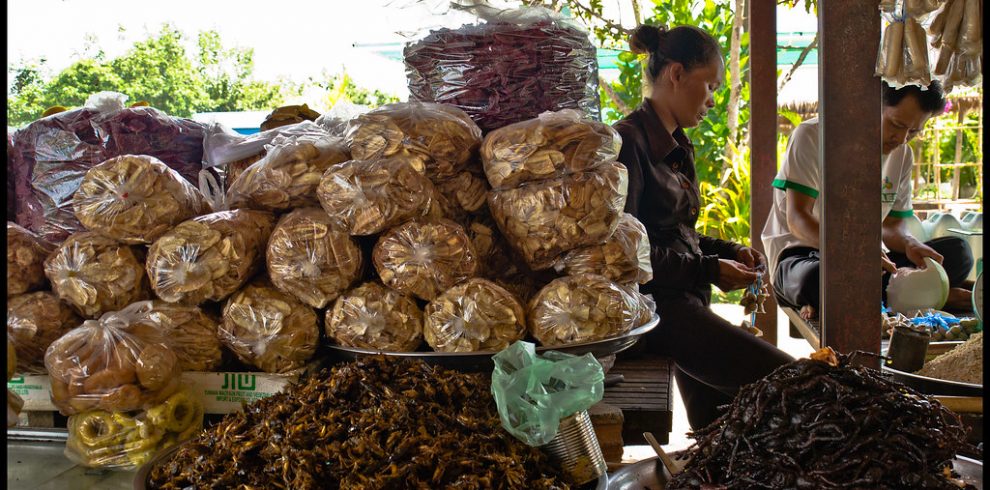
542, 220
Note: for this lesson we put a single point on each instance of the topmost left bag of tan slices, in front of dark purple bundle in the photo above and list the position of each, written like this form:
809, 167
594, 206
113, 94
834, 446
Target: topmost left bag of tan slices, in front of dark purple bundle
135, 199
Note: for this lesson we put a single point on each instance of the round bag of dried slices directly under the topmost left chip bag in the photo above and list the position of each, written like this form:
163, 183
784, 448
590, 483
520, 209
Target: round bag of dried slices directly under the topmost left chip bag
96, 274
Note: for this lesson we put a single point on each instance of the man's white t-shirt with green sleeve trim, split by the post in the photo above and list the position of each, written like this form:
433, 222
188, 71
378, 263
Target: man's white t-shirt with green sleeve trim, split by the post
800, 171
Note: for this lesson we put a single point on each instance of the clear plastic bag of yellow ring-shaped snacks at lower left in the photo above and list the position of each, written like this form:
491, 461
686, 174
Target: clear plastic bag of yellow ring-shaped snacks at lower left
123, 440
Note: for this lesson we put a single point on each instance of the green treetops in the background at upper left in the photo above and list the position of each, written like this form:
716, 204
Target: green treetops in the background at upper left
157, 69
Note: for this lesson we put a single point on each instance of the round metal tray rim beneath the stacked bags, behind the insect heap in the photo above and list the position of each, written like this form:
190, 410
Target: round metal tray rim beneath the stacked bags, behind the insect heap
482, 361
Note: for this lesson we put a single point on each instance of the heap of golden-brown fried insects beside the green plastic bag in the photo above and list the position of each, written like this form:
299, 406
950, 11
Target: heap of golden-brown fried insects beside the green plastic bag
372, 423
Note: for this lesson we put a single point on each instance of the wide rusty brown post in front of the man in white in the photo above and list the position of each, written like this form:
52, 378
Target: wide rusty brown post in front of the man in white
850, 149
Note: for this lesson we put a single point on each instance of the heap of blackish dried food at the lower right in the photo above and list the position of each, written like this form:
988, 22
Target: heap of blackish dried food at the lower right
824, 423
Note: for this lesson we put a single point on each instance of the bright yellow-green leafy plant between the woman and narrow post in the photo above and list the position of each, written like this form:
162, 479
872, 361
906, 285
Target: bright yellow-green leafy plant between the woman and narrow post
726, 204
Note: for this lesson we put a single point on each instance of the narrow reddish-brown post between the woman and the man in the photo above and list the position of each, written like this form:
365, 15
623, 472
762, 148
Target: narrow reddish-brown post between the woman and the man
763, 134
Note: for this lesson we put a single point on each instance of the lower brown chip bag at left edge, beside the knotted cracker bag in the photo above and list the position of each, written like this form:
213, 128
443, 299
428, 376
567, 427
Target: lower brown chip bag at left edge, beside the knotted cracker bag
34, 321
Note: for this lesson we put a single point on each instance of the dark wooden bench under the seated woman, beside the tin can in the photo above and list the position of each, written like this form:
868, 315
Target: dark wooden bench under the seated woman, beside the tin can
643, 396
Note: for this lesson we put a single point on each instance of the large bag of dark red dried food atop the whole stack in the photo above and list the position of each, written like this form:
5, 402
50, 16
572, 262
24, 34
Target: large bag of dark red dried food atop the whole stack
511, 67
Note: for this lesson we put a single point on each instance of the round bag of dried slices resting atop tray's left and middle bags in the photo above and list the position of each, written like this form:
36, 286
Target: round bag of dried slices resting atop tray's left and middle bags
425, 257
